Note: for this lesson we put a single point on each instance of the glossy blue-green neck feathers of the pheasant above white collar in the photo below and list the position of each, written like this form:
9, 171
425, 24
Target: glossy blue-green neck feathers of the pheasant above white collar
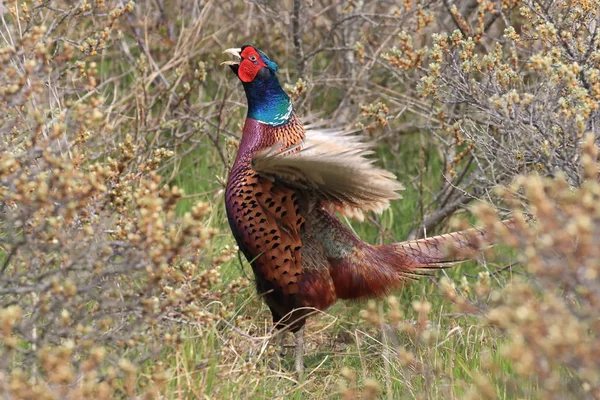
267, 102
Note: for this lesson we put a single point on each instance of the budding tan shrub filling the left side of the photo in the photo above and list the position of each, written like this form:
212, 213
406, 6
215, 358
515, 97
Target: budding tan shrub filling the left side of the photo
91, 245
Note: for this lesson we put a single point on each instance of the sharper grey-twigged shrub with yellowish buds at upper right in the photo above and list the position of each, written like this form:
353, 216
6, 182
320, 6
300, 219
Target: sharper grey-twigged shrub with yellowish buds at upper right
511, 89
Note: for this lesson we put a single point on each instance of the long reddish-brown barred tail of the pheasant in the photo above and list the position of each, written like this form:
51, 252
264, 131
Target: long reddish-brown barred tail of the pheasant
373, 270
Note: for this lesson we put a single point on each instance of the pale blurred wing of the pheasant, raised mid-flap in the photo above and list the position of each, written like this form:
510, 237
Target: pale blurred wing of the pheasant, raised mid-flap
333, 165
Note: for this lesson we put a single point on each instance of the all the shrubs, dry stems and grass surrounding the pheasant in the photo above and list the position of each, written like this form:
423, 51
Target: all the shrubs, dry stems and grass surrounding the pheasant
119, 277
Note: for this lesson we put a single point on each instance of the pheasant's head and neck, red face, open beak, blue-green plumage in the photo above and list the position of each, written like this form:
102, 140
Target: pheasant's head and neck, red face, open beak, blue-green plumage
267, 102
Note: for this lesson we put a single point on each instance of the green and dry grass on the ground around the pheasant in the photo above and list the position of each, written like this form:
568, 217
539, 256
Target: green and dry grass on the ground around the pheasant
342, 348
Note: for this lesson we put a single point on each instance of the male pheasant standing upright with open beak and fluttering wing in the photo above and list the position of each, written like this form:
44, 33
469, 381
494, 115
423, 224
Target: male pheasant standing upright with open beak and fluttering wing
281, 195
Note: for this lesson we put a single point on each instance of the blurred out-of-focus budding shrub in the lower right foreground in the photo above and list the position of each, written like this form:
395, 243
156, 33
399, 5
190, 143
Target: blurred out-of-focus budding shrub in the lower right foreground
542, 321
